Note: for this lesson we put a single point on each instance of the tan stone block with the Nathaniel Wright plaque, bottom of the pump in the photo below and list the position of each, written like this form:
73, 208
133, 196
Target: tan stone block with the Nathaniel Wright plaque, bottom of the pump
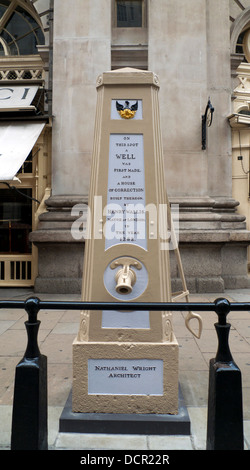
125, 377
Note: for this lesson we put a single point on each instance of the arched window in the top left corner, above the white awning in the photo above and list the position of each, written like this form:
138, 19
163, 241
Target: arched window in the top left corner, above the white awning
20, 29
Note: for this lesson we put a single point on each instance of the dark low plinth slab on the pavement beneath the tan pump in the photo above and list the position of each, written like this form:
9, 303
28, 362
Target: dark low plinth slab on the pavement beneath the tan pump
121, 423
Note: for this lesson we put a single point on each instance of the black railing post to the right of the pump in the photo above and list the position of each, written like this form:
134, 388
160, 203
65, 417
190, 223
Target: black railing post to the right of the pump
225, 415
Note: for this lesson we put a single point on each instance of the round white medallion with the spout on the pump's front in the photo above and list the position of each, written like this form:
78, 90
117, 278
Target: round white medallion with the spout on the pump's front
125, 278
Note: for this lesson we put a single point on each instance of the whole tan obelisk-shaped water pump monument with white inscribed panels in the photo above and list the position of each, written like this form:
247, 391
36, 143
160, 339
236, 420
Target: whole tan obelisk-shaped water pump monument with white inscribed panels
126, 361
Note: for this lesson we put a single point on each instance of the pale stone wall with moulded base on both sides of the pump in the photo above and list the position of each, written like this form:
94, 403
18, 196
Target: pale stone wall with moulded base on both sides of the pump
189, 50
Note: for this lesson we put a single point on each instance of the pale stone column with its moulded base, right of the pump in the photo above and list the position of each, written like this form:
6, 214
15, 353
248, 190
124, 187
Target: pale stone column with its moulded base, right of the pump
189, 49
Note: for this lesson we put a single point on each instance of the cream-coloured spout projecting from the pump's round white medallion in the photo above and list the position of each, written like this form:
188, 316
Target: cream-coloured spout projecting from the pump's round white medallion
125, 278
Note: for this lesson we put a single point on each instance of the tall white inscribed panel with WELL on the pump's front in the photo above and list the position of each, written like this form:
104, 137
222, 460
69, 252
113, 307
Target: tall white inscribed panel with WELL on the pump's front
126, 217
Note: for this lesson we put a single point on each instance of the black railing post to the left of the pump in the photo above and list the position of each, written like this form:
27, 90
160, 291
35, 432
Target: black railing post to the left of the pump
29, 417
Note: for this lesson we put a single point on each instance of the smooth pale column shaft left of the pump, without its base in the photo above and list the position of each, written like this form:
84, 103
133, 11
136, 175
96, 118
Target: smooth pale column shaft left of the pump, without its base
81, 52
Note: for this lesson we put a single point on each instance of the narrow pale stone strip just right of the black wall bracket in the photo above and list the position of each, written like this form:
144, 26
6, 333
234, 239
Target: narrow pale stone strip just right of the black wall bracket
219, 89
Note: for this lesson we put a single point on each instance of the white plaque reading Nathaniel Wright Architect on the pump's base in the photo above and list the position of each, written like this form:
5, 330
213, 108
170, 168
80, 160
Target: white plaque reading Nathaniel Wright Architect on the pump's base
125, 376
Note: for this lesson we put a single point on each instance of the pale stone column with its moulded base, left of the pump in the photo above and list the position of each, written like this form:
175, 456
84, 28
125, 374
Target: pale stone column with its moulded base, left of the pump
81, 51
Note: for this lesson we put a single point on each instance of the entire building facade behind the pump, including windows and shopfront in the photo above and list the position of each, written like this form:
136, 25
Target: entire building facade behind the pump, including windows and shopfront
200, 52
